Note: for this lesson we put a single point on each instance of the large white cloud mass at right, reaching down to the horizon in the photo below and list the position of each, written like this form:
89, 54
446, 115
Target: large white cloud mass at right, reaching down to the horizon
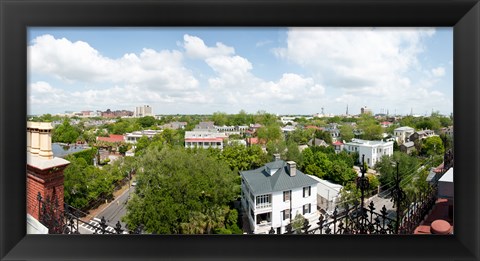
365, 66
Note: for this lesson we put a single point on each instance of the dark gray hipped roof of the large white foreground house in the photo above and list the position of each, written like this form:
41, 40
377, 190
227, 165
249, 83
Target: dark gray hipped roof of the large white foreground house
261, 182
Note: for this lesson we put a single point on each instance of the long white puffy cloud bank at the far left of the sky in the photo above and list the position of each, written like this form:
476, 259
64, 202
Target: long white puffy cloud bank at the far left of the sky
79, 62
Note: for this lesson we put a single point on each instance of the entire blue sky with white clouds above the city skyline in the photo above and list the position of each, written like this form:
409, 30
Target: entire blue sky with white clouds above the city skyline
182, 70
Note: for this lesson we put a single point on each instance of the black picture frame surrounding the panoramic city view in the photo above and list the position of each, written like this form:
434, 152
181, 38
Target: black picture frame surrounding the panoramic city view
17, 15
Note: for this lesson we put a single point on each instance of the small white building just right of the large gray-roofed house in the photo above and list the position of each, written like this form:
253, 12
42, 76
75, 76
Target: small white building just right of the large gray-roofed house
328, 194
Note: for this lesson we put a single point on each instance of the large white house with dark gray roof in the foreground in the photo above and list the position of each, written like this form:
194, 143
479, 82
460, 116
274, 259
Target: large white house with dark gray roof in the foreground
274, 194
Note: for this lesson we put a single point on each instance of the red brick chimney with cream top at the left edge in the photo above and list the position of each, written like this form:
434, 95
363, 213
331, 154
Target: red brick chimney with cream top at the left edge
44, 172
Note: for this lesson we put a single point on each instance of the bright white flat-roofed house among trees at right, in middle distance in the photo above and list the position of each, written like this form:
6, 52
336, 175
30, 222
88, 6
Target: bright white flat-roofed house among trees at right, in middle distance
373, 150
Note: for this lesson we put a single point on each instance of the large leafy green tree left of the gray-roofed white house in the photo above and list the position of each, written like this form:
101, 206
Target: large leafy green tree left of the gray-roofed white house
181, 192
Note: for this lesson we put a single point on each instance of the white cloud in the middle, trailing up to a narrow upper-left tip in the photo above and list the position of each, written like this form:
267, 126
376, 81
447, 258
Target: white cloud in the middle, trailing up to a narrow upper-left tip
233, 82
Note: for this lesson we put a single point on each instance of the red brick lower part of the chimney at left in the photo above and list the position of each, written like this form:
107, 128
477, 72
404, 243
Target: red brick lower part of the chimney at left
46, 182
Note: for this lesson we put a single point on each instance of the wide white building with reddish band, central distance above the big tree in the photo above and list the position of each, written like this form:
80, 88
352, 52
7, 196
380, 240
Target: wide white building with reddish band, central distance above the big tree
204, 139
